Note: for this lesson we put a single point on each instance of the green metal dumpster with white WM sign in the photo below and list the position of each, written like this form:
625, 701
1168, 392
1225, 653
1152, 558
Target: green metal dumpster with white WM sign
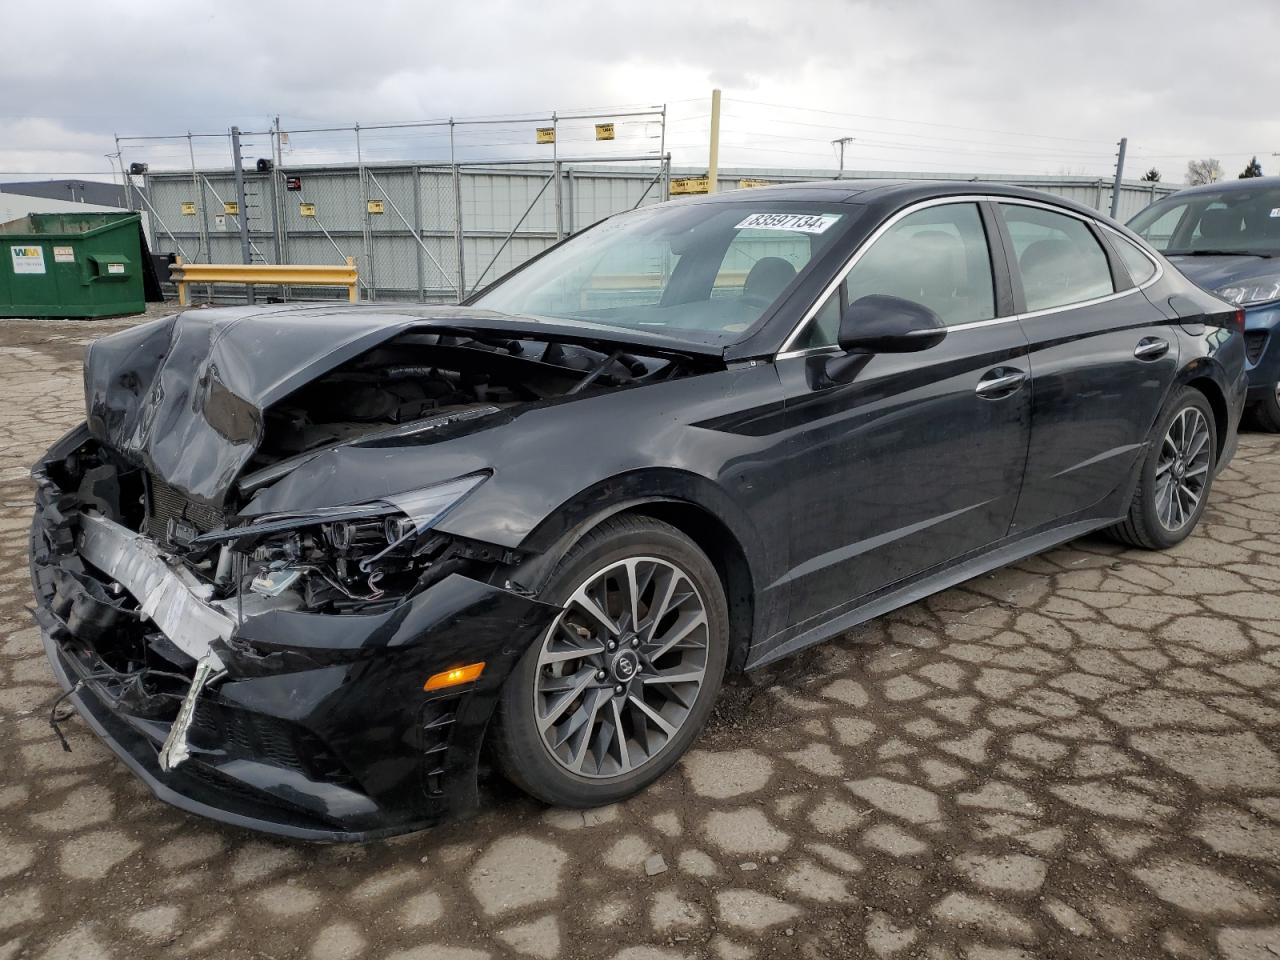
71, 266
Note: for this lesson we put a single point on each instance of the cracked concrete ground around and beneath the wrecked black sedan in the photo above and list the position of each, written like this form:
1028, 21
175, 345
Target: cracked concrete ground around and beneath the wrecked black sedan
1076, 757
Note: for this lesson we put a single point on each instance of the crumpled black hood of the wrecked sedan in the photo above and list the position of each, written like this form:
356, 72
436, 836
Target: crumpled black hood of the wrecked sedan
184, 397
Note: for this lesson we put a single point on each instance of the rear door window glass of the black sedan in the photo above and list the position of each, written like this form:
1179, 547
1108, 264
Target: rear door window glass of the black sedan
1059, 259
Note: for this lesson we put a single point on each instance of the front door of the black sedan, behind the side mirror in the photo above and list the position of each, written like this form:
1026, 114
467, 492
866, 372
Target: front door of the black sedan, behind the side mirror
918, 458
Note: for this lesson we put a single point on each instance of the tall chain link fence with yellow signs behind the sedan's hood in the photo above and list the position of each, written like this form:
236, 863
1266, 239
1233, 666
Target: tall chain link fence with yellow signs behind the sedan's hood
431, 232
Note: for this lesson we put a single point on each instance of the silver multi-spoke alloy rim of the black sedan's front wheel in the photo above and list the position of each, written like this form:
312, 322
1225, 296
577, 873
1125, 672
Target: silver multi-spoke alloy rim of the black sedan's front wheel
621, 668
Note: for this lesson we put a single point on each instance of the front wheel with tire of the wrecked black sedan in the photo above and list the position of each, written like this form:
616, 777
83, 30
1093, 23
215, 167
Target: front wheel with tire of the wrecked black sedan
624, 680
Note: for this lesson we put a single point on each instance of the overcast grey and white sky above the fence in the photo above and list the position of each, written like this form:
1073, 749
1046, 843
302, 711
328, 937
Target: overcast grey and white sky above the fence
985, 86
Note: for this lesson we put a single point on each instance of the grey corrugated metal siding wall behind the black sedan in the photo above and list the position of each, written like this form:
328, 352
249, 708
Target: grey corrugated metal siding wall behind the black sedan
495, 202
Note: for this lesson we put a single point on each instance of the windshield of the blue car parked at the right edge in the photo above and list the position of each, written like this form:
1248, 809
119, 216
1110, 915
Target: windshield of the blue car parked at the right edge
1245, 222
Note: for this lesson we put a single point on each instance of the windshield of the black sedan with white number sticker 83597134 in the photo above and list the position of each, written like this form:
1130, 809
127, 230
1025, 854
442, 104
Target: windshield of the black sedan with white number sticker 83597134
703, 272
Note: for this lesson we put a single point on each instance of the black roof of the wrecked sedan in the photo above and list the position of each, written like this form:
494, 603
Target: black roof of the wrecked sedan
862, 191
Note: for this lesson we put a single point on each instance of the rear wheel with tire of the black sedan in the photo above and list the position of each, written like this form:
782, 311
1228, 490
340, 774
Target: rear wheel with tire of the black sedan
1177, 476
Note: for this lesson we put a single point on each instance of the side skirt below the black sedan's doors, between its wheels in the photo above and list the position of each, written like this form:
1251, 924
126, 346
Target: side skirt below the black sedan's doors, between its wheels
916, 591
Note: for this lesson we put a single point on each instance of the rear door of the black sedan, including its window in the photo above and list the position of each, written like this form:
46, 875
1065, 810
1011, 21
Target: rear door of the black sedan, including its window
1103, 360
